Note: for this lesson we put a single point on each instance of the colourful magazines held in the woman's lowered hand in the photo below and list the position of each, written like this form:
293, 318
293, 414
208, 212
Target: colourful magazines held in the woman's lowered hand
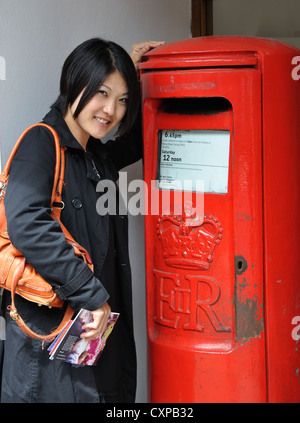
71, 348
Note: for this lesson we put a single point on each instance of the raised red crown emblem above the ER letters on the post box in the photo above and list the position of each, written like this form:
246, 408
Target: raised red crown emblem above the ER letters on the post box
189, 240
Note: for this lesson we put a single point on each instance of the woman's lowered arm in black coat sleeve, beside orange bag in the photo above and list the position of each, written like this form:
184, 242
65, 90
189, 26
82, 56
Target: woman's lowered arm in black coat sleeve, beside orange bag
33, 231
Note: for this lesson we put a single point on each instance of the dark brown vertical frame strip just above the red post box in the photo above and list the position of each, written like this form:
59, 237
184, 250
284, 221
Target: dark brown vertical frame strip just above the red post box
202, 18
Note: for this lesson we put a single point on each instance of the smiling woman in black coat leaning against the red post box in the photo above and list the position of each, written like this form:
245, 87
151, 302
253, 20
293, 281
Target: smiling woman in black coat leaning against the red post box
98, 92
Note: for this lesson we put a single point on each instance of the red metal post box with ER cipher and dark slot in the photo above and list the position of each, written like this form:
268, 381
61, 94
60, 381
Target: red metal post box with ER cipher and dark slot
222, 290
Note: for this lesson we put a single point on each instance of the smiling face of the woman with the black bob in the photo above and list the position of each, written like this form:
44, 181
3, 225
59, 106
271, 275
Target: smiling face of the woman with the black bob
102, 113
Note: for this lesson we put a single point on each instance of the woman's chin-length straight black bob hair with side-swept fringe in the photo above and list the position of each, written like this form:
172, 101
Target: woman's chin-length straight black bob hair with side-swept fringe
87, 67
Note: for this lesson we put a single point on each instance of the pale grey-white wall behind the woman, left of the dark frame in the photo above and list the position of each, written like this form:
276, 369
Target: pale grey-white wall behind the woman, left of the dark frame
35, 38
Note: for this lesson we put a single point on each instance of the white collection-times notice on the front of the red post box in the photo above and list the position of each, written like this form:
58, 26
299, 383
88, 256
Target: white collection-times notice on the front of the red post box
194, 160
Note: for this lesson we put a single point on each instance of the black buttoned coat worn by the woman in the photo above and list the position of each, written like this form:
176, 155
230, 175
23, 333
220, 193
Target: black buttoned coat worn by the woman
39, 238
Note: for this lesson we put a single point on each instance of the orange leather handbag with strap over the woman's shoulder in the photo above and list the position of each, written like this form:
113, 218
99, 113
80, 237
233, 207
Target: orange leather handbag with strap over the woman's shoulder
16, 274
